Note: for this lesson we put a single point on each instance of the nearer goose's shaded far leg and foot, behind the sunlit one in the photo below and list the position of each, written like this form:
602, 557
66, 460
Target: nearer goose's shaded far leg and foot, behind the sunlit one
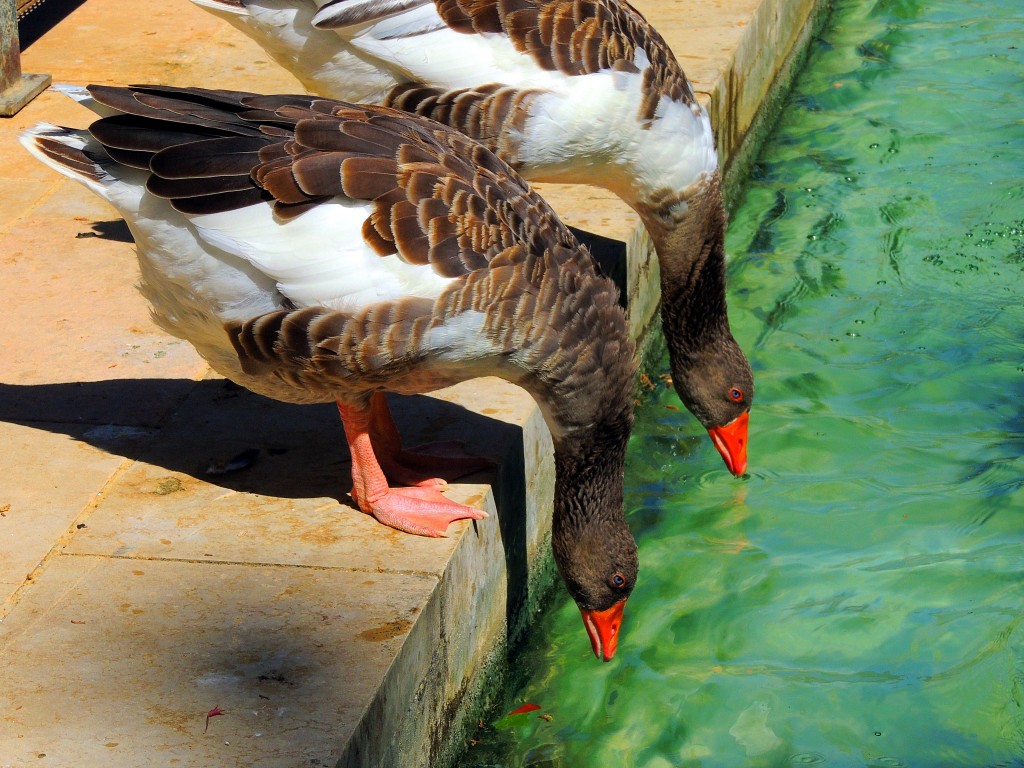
416, 466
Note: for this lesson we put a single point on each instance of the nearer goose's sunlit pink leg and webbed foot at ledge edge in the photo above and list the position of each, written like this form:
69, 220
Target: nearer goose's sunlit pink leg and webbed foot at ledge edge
423, 511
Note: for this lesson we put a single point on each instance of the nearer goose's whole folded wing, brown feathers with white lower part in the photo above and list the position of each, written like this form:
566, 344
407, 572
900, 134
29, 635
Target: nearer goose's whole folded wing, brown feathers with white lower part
276, 181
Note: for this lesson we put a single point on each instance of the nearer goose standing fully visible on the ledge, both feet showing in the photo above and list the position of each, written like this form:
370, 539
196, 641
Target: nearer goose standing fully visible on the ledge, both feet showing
315, 251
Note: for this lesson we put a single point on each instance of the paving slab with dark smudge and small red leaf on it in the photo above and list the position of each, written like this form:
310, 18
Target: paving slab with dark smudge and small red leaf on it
130, 656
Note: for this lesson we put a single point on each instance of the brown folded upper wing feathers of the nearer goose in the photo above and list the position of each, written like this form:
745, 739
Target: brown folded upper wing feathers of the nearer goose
439, 198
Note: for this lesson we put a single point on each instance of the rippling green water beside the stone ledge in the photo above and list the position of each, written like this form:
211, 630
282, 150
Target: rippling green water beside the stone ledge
856, 601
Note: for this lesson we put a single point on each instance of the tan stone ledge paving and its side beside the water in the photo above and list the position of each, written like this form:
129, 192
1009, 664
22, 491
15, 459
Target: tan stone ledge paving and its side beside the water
140, 591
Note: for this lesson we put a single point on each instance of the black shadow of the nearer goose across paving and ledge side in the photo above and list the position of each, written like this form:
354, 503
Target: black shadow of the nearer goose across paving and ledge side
294, 452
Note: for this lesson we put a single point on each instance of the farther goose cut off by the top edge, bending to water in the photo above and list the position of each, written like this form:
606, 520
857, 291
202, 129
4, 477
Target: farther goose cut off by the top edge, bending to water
564, 91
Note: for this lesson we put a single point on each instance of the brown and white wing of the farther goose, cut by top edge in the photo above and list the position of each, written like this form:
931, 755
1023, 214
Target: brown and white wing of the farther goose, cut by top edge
524, 44
